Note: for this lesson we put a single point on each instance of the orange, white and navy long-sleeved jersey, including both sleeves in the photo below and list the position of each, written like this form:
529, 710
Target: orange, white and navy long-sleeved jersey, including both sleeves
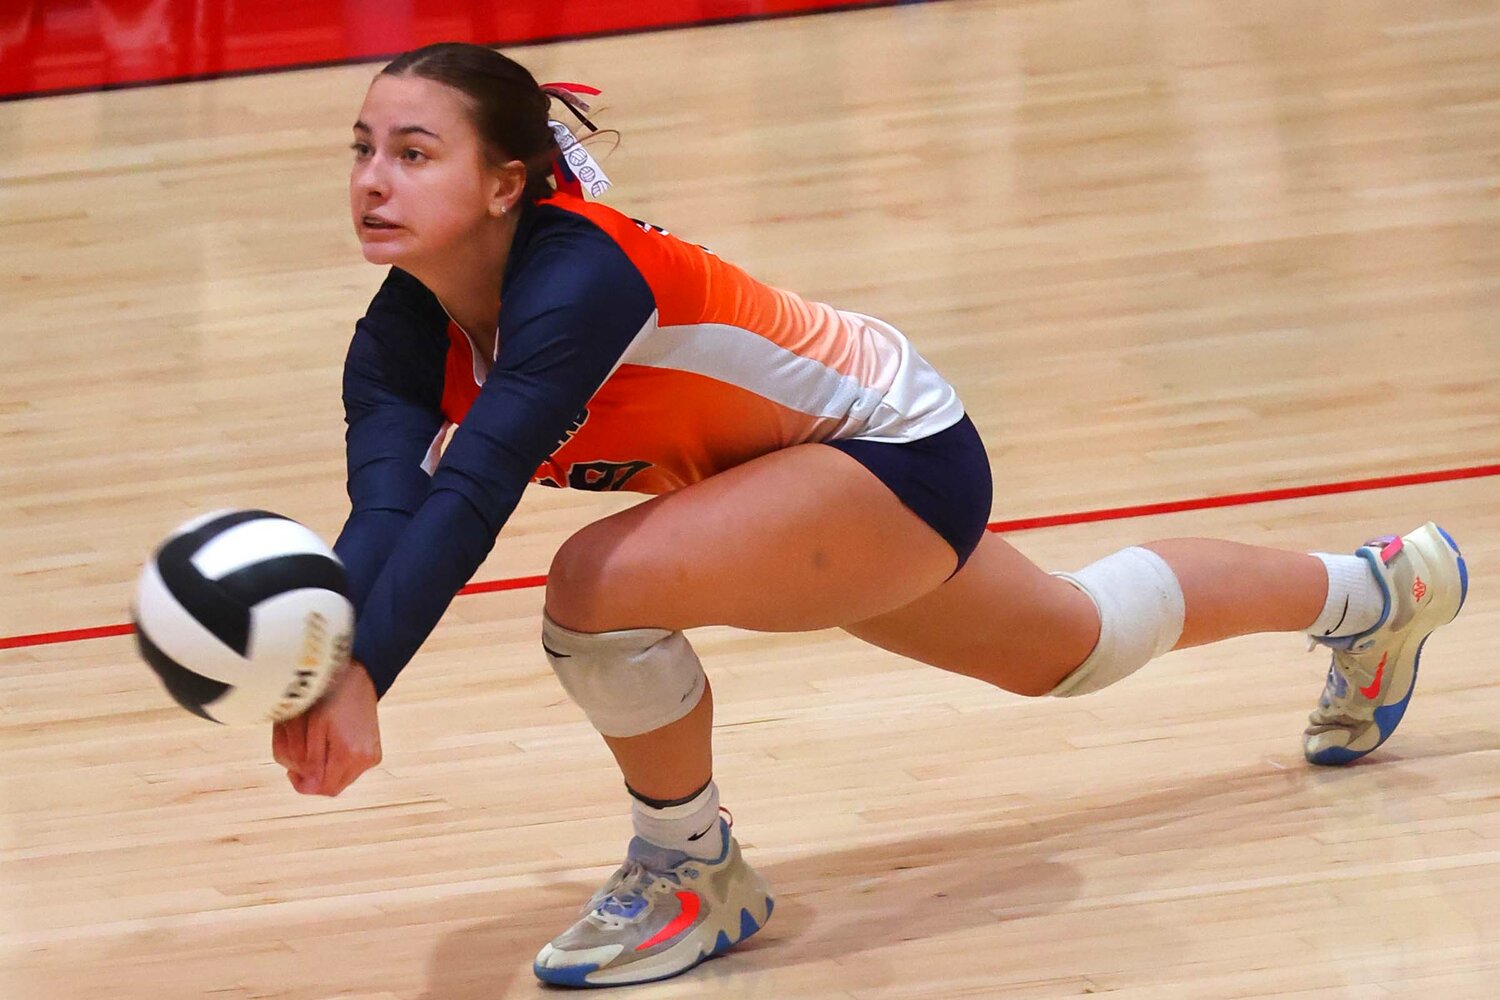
626, 359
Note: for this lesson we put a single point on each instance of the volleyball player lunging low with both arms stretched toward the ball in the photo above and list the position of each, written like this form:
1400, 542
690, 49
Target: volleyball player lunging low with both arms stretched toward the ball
811, 470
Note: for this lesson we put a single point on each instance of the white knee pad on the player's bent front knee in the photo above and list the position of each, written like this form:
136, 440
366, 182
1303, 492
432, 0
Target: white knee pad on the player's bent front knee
629, 683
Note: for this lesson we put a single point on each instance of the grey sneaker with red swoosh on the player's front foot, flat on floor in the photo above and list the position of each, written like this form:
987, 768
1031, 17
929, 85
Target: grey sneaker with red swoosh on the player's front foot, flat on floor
658, 917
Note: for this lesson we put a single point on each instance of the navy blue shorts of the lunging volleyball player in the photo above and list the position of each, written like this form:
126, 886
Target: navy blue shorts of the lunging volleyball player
944, 479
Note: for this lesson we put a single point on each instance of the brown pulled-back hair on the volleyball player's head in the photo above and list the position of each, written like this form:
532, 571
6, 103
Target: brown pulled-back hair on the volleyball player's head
506, 104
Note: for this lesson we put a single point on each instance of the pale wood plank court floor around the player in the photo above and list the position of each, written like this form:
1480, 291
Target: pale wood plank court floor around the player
1165, 250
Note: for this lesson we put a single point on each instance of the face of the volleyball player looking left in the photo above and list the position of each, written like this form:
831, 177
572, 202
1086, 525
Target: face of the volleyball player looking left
419, 187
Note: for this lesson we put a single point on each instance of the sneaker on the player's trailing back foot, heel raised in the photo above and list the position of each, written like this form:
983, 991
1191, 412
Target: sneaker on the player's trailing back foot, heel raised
1373, 674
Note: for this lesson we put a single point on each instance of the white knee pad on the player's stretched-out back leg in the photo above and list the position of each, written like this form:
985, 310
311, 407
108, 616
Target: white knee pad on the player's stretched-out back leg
1141, 617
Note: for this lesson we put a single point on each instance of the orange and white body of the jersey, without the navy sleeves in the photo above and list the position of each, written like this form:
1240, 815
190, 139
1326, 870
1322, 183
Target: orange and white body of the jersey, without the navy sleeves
722, 370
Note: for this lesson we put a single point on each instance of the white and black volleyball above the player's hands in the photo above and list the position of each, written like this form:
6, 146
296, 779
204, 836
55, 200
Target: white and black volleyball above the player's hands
245, 617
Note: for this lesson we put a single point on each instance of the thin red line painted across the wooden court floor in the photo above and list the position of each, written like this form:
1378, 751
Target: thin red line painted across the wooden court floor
1021, 524
